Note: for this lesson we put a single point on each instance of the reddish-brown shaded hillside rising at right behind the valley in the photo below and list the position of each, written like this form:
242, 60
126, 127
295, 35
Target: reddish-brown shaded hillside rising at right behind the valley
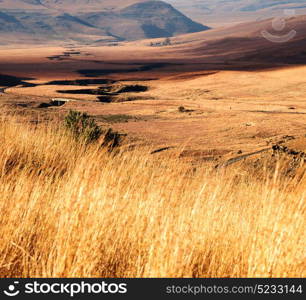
245, 44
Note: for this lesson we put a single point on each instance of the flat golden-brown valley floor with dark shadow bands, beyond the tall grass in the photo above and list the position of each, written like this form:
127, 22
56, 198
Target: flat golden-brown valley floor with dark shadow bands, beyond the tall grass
163, 104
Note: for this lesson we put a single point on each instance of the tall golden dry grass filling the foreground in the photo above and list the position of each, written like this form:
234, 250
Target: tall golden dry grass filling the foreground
70, 210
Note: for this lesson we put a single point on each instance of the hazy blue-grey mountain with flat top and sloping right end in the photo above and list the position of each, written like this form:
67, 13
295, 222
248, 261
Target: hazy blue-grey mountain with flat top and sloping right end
92, 20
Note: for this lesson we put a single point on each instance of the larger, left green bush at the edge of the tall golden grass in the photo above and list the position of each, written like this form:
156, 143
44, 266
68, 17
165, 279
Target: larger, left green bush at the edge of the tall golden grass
82, 126
